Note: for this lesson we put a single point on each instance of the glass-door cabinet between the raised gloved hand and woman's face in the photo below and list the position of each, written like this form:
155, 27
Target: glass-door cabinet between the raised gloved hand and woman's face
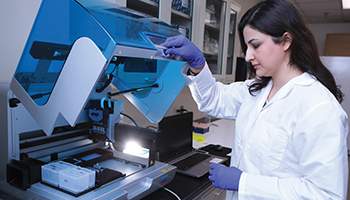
217, 36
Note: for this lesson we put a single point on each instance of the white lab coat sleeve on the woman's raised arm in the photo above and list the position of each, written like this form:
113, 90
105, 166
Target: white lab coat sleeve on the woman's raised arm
214, 98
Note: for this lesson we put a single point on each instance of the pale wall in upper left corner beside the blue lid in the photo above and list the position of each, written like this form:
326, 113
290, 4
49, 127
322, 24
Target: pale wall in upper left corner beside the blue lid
16, 20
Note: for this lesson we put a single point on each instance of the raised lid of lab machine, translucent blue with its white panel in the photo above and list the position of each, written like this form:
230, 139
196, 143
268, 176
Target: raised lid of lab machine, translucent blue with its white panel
74, 47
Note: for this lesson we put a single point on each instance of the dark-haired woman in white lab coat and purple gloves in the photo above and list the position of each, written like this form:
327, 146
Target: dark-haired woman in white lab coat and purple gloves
290, 135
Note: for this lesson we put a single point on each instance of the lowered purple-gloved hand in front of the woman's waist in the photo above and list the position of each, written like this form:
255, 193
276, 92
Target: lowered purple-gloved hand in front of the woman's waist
223, 177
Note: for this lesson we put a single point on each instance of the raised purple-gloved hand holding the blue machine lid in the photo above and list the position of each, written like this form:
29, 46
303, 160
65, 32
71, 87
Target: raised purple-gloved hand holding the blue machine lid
181, 46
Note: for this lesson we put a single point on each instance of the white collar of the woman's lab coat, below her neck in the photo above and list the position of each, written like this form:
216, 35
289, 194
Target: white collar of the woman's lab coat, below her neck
304, 79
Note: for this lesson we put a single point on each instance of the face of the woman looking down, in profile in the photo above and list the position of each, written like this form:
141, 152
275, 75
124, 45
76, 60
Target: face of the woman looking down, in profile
265, 55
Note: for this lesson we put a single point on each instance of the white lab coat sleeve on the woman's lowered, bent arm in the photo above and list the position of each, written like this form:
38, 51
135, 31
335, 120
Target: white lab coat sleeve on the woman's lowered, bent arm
319, 142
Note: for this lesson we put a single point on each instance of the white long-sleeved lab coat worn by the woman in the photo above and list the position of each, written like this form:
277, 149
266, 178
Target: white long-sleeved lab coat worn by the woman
292, 148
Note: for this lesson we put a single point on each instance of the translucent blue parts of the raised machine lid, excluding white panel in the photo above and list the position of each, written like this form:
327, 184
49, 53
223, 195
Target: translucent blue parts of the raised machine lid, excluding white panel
120, 34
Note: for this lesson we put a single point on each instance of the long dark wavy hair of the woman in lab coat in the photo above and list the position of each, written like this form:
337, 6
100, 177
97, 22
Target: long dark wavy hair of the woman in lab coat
274, 18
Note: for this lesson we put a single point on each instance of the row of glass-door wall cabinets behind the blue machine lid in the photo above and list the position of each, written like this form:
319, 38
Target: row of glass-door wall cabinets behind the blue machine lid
210, 24
